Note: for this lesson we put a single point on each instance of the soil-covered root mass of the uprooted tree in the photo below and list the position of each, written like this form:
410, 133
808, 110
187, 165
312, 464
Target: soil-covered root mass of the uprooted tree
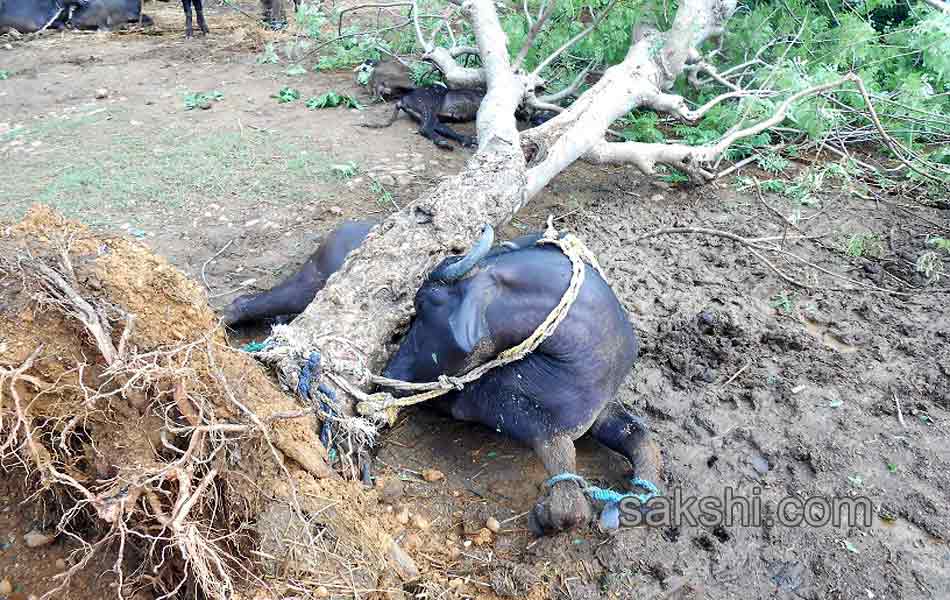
149, 437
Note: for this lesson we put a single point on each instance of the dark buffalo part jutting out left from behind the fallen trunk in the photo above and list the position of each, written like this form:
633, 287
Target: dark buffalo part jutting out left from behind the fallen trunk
293, 295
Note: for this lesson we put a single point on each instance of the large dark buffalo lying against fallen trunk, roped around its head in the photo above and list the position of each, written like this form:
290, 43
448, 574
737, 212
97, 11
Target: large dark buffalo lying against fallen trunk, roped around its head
471, 308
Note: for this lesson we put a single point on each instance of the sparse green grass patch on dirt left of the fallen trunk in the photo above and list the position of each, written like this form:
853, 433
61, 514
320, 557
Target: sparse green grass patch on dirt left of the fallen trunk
123, 171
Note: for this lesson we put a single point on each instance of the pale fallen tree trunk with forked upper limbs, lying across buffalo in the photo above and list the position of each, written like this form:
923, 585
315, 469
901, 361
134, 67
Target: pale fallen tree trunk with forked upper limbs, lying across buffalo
352, 320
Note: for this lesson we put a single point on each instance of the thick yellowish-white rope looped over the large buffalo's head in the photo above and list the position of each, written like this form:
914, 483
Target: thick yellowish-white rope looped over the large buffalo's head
384, 404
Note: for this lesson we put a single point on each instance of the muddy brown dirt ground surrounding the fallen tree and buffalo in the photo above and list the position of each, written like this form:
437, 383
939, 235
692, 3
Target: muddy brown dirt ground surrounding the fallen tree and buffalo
748, 382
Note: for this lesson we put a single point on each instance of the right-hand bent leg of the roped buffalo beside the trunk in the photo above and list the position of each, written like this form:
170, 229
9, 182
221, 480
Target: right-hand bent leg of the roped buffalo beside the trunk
628, 435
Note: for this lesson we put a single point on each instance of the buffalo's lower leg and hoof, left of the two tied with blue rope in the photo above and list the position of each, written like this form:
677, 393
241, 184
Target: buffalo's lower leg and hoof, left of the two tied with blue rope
564, 505
